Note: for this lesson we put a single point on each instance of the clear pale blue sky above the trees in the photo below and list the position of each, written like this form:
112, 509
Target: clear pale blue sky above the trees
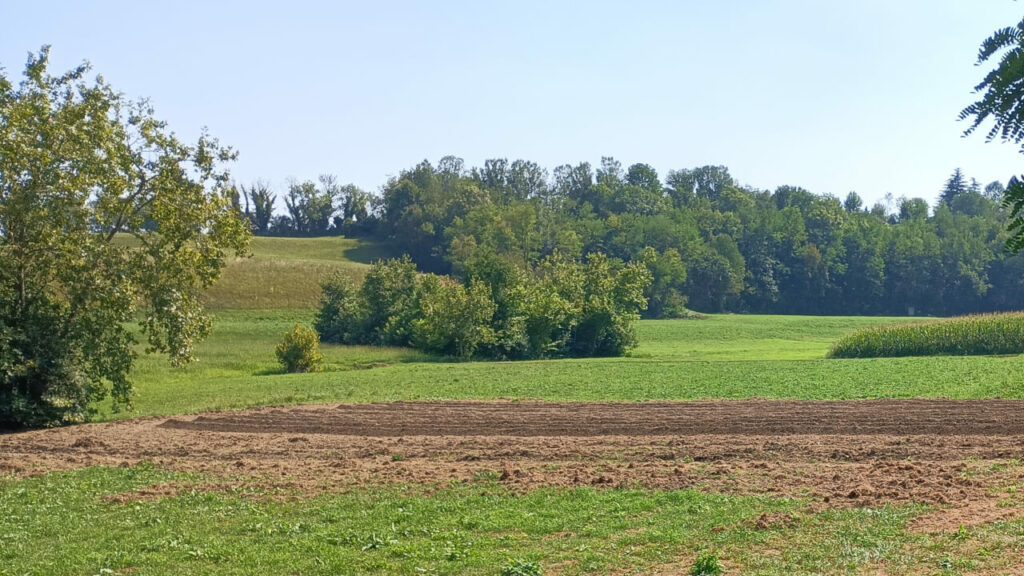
833, 97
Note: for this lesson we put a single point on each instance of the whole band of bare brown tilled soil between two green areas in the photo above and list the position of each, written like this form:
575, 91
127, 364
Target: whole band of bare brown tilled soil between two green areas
964, 456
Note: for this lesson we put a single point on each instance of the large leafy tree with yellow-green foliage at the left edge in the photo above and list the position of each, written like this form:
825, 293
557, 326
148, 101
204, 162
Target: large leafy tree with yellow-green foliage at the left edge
106, 218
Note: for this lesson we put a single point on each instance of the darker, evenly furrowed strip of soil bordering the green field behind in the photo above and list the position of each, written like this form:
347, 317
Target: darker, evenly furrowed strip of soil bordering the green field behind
756, 418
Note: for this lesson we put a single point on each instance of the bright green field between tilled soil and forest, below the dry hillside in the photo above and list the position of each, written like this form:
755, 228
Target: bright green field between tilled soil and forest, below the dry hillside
718, 357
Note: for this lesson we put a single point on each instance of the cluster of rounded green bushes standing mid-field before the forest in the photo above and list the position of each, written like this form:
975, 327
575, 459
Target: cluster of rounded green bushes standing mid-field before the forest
501, 311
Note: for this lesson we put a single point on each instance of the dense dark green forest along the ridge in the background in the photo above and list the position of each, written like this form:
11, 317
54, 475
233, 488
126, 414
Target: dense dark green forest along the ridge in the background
710, 243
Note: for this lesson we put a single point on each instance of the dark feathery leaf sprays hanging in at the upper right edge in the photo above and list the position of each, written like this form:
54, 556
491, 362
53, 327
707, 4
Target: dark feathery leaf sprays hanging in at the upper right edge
1003, 102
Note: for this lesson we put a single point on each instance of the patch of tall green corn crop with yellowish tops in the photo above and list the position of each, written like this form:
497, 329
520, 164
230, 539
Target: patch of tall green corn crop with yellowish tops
982, 335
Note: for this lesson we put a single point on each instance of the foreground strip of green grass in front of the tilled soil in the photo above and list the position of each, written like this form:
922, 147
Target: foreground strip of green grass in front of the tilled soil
67, 523
